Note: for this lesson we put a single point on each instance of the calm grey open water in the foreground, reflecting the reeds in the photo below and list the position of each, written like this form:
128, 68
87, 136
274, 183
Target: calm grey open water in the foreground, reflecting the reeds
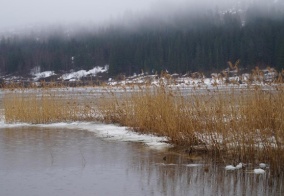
52, 161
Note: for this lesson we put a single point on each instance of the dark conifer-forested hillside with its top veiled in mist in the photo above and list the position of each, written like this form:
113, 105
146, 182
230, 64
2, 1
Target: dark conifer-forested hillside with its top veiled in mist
178, 39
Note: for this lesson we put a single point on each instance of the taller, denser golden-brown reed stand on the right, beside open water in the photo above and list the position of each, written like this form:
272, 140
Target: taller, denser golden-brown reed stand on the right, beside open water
245, 123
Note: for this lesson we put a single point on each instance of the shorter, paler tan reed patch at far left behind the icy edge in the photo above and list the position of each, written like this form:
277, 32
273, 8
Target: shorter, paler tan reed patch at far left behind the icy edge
44, 106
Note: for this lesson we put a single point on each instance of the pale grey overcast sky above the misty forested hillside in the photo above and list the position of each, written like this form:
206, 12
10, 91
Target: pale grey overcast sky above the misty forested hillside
20, 13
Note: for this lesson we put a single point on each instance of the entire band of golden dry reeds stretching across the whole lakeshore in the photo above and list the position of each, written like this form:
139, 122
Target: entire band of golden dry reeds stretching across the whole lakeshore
243, 124
